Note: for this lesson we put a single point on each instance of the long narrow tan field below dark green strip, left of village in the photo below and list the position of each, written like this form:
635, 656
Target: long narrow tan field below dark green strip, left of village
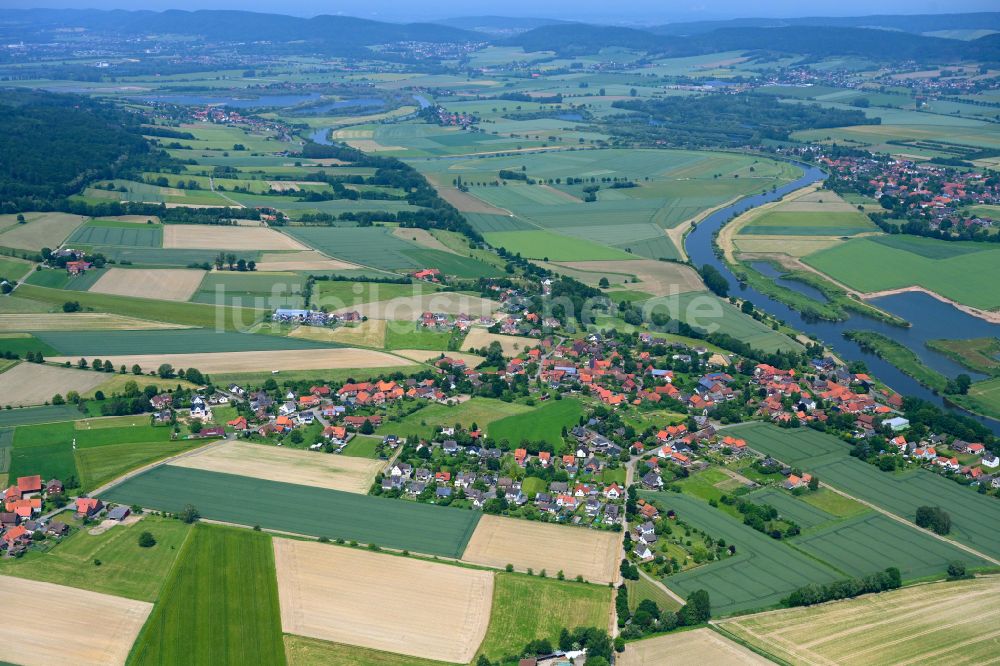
260, 361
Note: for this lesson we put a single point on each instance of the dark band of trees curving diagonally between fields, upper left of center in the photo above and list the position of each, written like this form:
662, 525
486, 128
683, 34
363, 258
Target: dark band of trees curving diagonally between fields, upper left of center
391, 172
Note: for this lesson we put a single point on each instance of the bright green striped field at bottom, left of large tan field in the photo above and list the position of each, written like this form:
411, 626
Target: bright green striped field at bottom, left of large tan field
219, 604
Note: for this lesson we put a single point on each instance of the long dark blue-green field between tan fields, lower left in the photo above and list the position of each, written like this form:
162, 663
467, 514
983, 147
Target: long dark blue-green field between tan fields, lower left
319, 512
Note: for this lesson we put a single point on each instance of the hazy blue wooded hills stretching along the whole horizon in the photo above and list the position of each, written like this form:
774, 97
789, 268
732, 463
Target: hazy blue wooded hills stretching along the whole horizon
879, 37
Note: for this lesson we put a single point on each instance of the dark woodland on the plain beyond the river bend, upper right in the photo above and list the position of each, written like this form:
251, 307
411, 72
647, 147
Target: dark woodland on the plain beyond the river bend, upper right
723, 119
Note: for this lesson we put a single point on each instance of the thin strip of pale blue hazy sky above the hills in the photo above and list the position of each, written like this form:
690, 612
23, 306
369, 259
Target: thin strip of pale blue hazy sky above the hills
632, 11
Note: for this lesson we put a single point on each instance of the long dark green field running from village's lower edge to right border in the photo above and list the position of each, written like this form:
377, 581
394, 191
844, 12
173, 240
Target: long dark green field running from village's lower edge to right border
972, 515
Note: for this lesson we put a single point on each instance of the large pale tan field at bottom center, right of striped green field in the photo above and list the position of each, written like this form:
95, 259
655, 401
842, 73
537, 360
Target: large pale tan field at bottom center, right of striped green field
380, 601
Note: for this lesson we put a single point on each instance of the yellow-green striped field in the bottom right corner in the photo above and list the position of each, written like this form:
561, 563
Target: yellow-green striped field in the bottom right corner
940, 623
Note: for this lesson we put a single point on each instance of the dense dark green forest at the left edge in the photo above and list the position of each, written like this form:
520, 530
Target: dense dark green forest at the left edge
52, 145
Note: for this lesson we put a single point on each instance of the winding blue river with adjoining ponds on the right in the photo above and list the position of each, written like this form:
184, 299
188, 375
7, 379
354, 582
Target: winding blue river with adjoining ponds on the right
930, 318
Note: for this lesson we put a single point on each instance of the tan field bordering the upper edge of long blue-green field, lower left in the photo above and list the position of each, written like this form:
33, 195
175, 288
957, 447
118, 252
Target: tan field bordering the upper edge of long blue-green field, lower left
306, 468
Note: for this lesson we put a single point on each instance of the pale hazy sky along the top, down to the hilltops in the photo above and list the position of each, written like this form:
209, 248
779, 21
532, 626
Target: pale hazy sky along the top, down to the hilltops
643, 12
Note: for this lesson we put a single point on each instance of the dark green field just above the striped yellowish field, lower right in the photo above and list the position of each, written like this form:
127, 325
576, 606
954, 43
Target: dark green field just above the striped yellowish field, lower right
873, 542
